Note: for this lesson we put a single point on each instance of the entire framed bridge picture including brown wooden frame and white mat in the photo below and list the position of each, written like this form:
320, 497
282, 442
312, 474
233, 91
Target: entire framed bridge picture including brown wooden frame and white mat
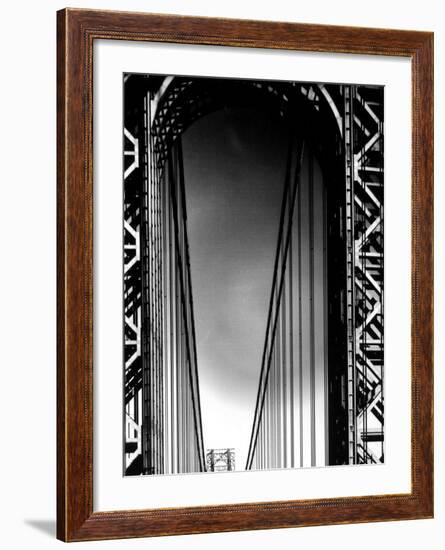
245, 229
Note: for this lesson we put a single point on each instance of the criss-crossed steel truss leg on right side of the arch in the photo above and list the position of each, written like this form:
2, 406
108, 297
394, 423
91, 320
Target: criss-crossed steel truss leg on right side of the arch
365, 173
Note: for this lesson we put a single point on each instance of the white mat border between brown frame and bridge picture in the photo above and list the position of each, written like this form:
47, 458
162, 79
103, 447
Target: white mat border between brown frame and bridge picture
112, 491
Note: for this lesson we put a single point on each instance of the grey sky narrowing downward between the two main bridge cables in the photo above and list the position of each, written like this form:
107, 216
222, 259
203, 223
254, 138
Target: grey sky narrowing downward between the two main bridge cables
234, 162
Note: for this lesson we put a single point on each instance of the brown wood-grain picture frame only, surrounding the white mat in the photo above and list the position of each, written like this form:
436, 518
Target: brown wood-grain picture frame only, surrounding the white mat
76, 31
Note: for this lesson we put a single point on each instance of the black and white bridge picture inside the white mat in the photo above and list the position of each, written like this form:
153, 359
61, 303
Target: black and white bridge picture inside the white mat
253, 270
